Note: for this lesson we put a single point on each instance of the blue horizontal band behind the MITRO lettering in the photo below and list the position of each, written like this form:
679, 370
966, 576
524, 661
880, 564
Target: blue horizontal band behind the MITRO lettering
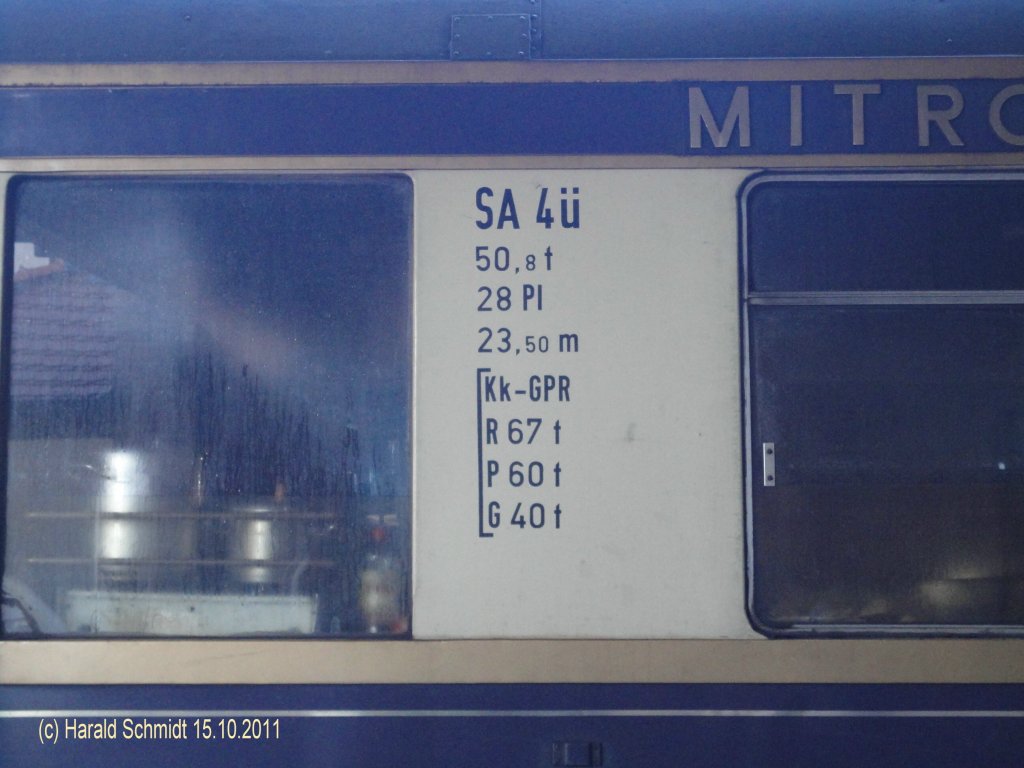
480, 119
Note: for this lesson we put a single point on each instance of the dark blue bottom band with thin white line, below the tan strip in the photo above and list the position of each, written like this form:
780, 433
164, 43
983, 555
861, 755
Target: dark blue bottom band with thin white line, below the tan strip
700, 727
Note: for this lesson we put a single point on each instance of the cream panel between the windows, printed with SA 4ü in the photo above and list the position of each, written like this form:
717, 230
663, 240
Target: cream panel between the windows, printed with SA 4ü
615, 456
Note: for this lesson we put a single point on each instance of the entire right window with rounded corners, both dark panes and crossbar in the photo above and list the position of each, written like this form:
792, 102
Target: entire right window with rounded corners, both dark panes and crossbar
885, 369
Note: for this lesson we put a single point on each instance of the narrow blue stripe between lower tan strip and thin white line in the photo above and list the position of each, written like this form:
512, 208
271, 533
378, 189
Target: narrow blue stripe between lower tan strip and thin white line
526, 697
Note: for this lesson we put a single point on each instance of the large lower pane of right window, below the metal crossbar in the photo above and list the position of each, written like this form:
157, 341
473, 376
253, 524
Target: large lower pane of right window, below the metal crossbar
899, 494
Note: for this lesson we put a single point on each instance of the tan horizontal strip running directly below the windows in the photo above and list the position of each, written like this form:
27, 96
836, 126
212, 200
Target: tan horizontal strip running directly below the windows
265, 662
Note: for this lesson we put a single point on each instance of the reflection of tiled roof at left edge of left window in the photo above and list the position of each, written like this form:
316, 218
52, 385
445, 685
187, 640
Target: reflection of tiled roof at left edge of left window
65, 333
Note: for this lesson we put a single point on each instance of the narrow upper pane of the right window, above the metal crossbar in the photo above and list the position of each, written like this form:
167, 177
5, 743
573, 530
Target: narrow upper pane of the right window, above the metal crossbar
886, 236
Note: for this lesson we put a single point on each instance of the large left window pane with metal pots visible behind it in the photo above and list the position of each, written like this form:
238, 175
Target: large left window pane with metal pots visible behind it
209, 423
